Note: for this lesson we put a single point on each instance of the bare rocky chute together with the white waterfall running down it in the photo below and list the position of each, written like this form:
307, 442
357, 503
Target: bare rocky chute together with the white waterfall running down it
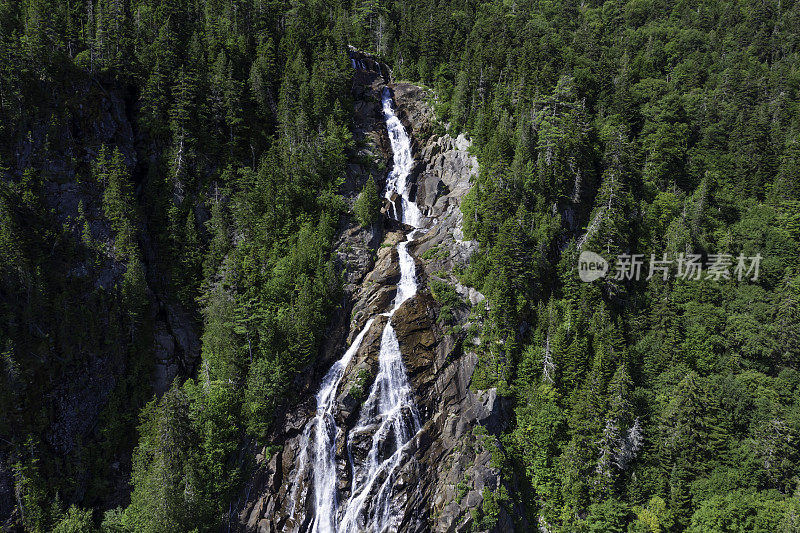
393, 438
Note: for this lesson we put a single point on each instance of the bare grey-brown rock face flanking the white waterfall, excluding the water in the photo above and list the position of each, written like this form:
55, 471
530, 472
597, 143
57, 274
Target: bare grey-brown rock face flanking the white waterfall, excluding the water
442, 486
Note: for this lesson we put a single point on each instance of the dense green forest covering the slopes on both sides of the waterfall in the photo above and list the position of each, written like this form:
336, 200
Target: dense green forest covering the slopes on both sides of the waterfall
634, 126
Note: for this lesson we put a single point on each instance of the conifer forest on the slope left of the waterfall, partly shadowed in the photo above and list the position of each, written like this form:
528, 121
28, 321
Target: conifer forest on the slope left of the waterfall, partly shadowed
179, 158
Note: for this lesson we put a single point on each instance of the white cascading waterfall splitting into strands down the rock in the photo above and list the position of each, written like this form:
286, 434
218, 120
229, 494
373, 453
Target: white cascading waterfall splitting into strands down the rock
389, 418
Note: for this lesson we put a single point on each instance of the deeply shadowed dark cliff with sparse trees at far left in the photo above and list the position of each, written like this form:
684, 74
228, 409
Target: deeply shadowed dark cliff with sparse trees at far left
81, 353
